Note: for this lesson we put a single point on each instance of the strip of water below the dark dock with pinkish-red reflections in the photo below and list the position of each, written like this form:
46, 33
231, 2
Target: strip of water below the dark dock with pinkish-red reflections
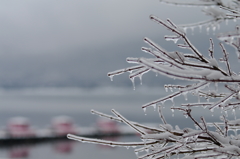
65, 149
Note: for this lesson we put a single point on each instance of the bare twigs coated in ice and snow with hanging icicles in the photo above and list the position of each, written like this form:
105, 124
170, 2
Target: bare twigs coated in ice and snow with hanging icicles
208, 77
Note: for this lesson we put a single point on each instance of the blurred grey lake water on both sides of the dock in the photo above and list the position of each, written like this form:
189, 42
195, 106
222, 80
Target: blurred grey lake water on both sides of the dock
41, 105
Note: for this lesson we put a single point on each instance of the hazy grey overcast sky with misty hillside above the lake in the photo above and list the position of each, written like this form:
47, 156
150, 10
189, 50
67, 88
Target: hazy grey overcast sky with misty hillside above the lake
75, 43
